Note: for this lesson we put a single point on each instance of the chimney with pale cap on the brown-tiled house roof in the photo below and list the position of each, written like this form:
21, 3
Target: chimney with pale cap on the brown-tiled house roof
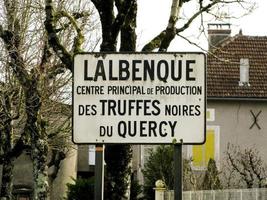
217, 33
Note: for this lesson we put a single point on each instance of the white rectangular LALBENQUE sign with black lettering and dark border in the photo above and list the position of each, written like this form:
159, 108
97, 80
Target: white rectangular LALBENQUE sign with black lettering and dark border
139, 98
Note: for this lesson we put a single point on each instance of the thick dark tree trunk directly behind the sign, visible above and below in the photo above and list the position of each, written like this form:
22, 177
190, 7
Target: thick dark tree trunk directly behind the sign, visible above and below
118, 170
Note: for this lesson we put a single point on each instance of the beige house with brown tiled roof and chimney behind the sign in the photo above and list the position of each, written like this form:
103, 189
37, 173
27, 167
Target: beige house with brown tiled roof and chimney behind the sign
236, 98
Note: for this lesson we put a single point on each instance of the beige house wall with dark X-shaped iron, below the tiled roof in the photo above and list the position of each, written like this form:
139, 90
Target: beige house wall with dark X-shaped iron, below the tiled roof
234, 120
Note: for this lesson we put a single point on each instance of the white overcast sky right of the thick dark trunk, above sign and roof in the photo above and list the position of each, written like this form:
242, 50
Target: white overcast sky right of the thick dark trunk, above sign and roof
153, 16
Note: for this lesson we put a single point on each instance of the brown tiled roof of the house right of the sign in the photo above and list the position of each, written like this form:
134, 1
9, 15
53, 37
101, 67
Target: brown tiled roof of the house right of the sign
223, 68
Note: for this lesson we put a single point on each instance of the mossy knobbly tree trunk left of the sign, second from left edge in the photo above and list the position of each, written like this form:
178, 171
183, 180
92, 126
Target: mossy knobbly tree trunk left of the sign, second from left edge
39, 145
